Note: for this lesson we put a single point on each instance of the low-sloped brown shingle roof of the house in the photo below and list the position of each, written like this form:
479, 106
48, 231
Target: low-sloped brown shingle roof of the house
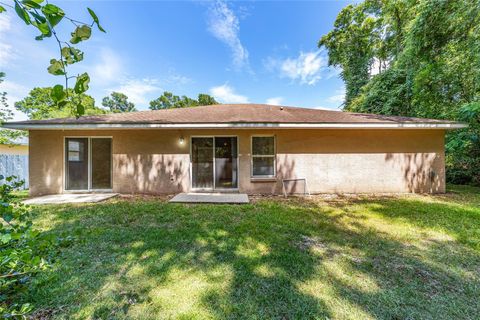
231, 113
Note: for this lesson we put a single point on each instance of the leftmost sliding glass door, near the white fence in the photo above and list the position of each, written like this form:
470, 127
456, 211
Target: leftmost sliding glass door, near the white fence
88, 163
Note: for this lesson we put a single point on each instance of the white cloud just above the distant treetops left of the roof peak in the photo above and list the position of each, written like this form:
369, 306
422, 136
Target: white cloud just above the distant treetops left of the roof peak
138, 90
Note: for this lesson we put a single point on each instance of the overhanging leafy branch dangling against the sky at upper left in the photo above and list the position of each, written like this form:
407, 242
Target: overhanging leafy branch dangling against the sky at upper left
46, 17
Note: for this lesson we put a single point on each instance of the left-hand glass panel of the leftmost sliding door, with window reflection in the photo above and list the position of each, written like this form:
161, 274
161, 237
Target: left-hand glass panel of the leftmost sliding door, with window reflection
76, 163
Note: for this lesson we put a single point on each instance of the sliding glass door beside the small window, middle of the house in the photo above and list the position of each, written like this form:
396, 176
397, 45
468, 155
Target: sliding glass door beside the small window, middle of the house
214, 163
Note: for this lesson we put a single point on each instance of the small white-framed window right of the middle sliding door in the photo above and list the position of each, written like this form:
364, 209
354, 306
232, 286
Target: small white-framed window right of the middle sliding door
263, 157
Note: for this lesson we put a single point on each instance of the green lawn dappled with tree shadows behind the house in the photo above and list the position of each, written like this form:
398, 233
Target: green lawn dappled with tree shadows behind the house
404, 257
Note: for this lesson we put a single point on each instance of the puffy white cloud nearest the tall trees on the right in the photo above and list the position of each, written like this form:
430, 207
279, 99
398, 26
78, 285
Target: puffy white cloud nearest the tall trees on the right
306, 68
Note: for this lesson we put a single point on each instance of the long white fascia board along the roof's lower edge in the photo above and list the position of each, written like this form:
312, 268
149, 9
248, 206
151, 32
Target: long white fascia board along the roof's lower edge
106, 126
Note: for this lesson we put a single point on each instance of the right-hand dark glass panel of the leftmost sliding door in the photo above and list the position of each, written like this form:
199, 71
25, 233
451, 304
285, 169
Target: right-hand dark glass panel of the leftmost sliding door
101, 163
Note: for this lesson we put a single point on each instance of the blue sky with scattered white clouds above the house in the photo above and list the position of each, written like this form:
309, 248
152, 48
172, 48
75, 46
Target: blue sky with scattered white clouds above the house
256, 51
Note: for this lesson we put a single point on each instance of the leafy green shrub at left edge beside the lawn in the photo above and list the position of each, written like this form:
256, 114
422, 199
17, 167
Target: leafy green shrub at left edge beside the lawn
24, 251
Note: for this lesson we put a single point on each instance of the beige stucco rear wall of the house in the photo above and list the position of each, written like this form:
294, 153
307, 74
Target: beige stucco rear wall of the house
333, 161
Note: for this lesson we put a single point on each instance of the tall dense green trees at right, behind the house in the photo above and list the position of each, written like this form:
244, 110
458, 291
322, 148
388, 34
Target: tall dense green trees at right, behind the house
415, 58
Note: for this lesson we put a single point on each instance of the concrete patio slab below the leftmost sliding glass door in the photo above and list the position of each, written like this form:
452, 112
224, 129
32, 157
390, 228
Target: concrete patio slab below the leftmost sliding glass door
70, 198
